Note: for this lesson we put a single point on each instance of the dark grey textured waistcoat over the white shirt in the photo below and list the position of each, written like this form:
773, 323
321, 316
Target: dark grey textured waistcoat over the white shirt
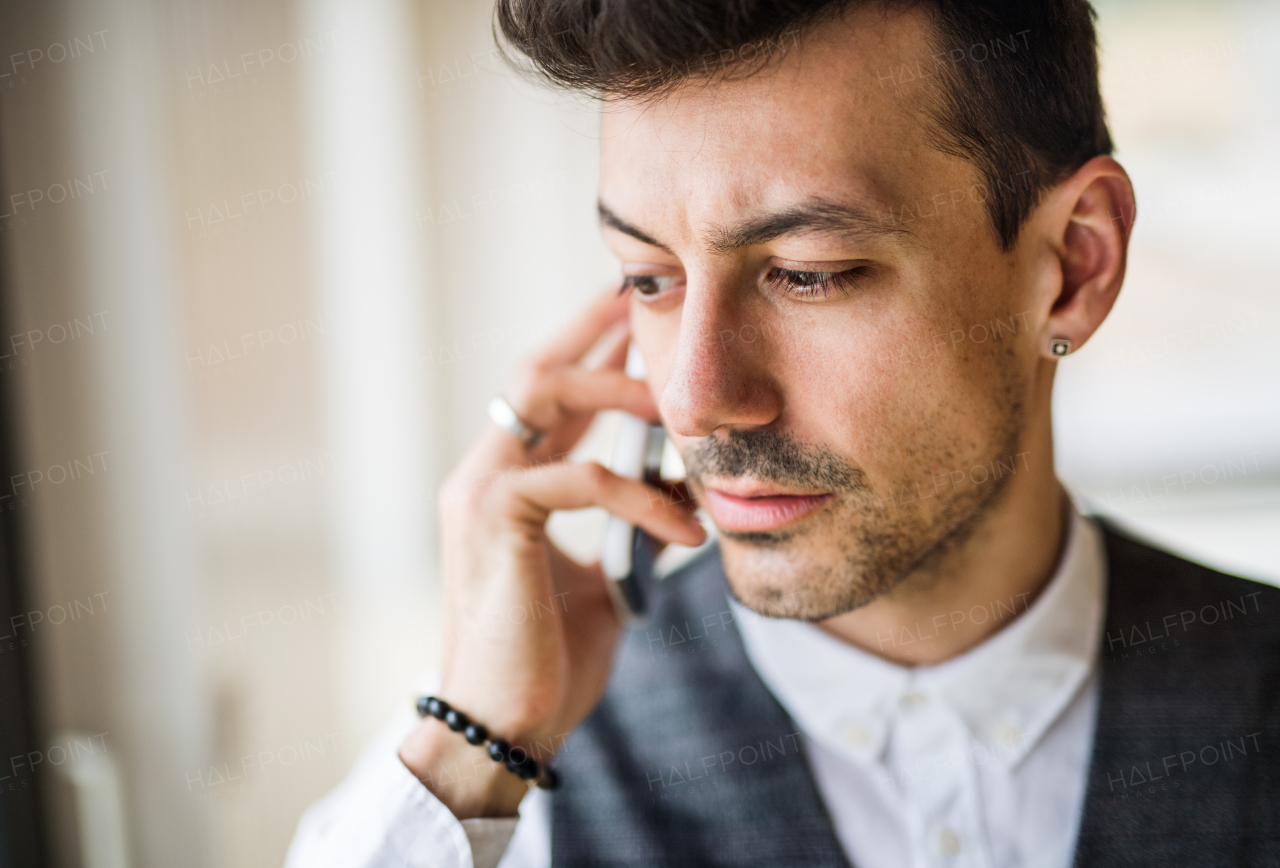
691, 761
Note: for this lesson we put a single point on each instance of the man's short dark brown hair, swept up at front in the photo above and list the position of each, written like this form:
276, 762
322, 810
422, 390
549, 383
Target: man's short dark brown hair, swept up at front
1026, 111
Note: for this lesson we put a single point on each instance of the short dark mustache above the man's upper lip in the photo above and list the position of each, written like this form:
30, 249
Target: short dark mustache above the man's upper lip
774, 456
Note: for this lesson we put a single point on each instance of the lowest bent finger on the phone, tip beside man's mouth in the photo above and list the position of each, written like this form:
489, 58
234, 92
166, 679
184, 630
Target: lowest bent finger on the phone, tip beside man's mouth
580, 486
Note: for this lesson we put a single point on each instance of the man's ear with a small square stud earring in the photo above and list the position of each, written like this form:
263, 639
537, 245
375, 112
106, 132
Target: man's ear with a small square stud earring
1089, 220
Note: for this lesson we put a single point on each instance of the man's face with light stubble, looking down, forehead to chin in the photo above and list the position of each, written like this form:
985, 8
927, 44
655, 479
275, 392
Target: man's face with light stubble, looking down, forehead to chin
839, 349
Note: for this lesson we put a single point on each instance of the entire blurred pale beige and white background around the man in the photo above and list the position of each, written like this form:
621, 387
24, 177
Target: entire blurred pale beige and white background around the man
266, 262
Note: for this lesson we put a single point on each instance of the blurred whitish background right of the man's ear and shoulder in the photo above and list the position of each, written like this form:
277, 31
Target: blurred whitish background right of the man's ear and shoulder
1171, 417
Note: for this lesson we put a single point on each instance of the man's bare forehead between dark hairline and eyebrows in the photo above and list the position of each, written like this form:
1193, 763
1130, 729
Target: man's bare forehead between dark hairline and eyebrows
825, 118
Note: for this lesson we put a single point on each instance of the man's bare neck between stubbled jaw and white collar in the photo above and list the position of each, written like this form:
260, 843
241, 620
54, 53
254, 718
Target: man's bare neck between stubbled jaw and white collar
973, 590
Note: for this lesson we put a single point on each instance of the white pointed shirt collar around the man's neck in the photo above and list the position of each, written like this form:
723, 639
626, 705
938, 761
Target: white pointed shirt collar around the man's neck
1007, 692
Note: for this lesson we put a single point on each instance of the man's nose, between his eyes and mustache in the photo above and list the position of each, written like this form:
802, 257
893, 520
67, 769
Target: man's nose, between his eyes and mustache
720, 374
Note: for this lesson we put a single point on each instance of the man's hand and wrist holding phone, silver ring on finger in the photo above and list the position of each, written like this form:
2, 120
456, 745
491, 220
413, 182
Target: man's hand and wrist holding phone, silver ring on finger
532, 679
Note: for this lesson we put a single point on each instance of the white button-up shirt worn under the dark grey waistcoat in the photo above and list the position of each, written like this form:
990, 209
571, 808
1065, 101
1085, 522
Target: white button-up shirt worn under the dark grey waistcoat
979, 762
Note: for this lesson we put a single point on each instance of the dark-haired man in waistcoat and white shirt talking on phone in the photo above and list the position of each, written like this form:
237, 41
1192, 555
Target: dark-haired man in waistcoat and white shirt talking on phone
857, 240
